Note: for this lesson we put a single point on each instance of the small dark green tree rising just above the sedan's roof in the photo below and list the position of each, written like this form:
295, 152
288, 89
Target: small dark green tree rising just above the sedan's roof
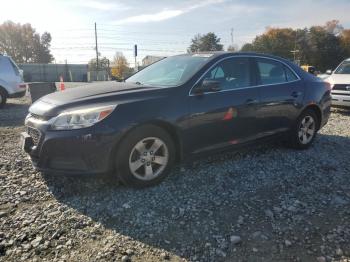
203, 43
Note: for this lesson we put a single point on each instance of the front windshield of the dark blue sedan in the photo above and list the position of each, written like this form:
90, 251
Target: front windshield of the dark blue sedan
171, 71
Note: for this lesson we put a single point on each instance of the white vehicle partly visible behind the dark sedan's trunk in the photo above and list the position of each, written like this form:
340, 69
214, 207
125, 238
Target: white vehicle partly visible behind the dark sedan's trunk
340, 83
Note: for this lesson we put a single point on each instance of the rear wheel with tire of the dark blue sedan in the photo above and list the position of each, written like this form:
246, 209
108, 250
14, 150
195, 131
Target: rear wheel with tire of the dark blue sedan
304, 130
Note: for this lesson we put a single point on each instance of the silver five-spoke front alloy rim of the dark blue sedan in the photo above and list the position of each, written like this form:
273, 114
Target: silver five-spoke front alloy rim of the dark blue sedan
148, 158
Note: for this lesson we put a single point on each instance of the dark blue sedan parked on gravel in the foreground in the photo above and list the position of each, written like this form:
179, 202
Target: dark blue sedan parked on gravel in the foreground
173, 110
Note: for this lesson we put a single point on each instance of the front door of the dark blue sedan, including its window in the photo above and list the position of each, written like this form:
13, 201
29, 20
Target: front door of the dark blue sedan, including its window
226, 117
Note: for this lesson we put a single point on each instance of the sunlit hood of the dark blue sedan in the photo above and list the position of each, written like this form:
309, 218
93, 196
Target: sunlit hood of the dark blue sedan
97, 93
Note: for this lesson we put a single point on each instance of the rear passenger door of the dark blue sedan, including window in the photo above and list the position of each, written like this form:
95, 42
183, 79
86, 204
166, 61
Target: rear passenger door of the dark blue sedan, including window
281, 94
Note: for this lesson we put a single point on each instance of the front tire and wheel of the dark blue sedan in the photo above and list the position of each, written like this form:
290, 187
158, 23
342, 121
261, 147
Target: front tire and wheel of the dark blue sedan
145, 156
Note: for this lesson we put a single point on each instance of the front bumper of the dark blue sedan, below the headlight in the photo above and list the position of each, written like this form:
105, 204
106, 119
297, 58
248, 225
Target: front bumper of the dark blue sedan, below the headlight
81, 151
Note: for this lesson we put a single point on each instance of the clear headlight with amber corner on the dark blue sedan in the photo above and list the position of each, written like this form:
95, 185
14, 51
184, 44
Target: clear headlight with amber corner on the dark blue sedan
81, 118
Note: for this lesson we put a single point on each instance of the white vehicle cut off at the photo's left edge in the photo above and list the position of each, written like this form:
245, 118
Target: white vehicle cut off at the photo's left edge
11, 80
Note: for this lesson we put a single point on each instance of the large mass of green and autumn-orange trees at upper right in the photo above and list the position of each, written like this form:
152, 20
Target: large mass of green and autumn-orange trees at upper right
321, 46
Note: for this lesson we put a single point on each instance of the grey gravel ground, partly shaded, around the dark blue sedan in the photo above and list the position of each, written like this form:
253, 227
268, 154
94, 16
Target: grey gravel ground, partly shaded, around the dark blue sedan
266, 203
